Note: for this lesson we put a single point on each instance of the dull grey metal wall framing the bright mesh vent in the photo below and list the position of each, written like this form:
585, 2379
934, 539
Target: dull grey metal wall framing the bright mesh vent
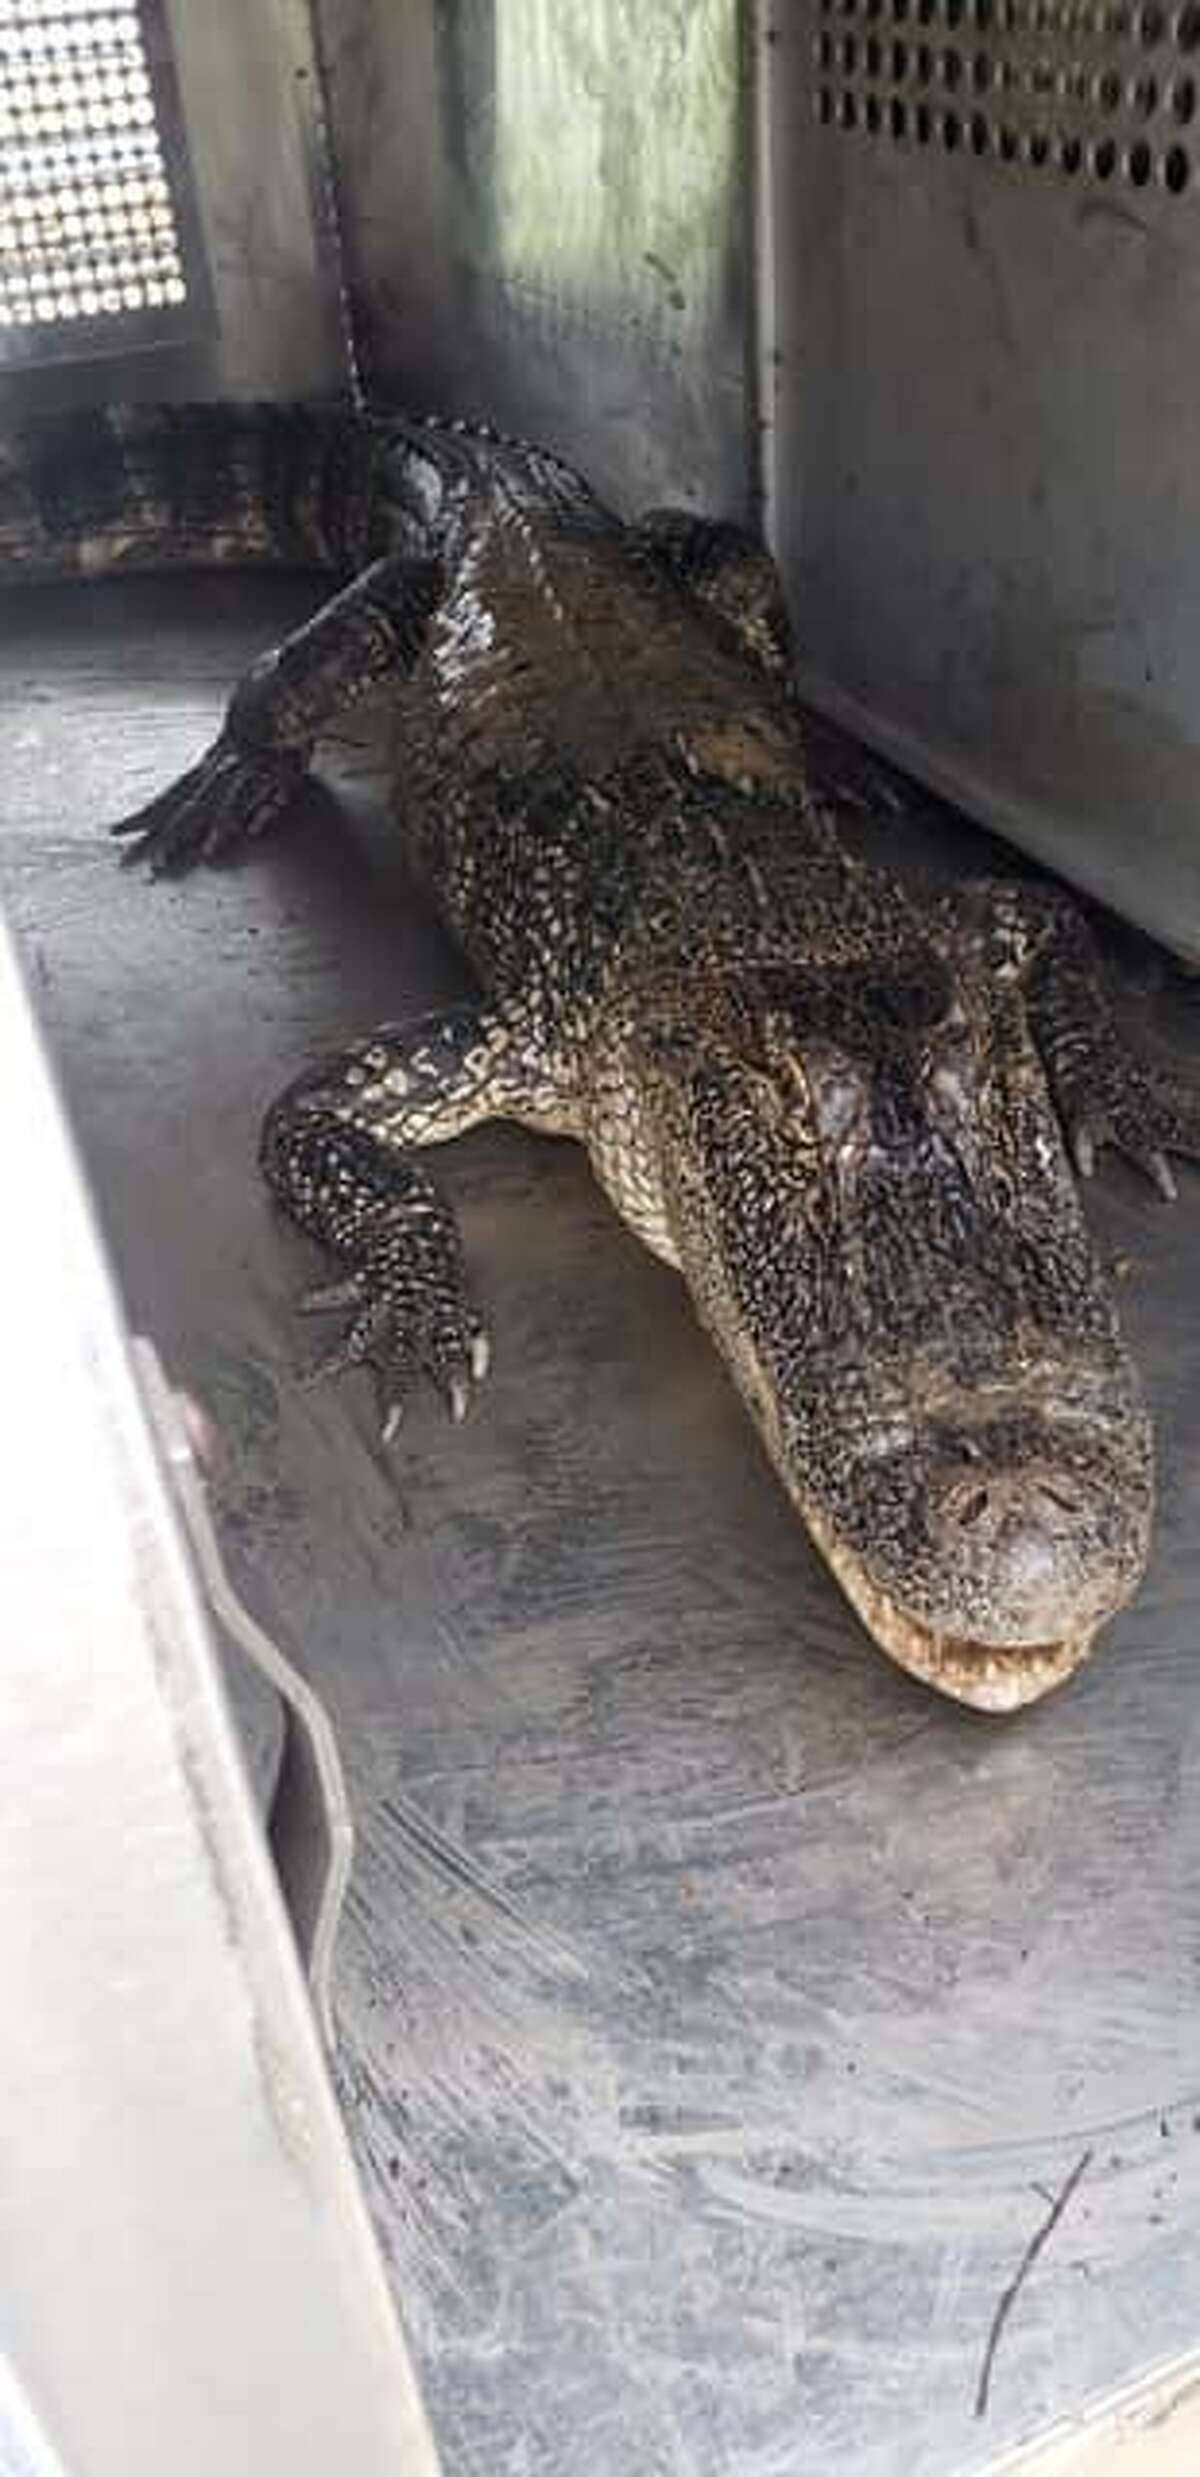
252, 108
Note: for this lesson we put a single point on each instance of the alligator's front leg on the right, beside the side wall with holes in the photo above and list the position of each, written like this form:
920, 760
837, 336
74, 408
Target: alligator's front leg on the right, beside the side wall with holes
1102, 1091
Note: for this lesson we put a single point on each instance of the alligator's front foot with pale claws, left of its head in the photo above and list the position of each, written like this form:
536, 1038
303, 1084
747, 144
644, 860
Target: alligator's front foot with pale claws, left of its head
408, 1321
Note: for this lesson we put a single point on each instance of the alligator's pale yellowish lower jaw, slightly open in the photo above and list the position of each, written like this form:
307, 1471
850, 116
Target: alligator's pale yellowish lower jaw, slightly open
986, 1676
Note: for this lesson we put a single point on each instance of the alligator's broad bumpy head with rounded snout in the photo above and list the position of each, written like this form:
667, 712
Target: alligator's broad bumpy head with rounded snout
881, 1230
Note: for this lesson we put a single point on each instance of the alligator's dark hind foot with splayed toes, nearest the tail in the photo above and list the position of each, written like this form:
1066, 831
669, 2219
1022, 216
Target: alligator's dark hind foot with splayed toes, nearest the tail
227, 799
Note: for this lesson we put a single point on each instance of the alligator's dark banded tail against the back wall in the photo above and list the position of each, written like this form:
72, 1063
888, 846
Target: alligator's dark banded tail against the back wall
152, 487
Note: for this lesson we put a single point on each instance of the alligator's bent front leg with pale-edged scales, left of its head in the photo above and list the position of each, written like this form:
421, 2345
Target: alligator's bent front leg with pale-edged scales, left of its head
338, 1158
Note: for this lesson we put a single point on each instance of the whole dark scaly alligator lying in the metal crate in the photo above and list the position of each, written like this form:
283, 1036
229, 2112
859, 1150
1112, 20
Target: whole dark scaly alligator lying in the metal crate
849, 1116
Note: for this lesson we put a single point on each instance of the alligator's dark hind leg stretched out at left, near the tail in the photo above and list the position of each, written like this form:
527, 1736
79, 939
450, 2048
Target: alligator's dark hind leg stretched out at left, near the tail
276, 715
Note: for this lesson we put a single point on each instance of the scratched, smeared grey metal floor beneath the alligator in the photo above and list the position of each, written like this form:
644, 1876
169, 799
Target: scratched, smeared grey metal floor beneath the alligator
720, 2010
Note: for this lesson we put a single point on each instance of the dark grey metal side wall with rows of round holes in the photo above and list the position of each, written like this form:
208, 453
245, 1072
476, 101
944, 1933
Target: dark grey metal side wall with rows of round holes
986, 484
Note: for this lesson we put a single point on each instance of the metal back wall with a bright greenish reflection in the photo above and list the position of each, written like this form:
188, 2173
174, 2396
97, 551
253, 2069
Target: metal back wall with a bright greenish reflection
547, 224
